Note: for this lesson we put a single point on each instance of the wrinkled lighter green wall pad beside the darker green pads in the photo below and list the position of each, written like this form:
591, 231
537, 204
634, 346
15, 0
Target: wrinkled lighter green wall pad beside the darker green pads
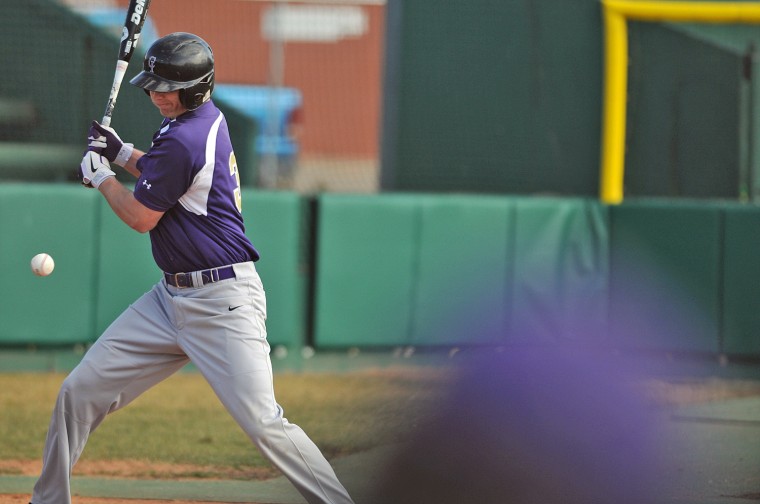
561, 270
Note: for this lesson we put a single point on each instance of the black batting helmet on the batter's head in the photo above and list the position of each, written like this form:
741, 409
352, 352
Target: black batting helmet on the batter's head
179, 61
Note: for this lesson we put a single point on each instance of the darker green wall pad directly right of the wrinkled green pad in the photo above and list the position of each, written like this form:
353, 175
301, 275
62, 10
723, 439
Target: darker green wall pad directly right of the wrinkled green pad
665, 289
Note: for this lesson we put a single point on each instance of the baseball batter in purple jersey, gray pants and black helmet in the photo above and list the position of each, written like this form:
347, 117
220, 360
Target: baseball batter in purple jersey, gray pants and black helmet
209, 307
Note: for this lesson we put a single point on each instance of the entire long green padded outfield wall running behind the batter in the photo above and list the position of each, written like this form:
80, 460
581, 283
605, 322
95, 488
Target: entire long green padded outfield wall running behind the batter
422, 270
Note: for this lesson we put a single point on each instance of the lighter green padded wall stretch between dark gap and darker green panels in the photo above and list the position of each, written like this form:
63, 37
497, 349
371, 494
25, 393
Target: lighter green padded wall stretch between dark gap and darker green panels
446, 270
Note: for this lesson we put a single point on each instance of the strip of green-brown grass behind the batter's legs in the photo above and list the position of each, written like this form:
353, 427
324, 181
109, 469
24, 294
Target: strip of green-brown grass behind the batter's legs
182, 421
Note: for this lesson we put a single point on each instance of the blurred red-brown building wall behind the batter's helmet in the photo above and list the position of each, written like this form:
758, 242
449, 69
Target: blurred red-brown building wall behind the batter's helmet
333, 58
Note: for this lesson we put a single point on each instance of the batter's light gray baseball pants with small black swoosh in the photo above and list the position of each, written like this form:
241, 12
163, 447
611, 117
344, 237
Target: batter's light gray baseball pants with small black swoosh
220, 328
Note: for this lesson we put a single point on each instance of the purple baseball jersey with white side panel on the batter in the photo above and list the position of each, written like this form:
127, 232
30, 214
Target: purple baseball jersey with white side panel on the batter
190, 173
